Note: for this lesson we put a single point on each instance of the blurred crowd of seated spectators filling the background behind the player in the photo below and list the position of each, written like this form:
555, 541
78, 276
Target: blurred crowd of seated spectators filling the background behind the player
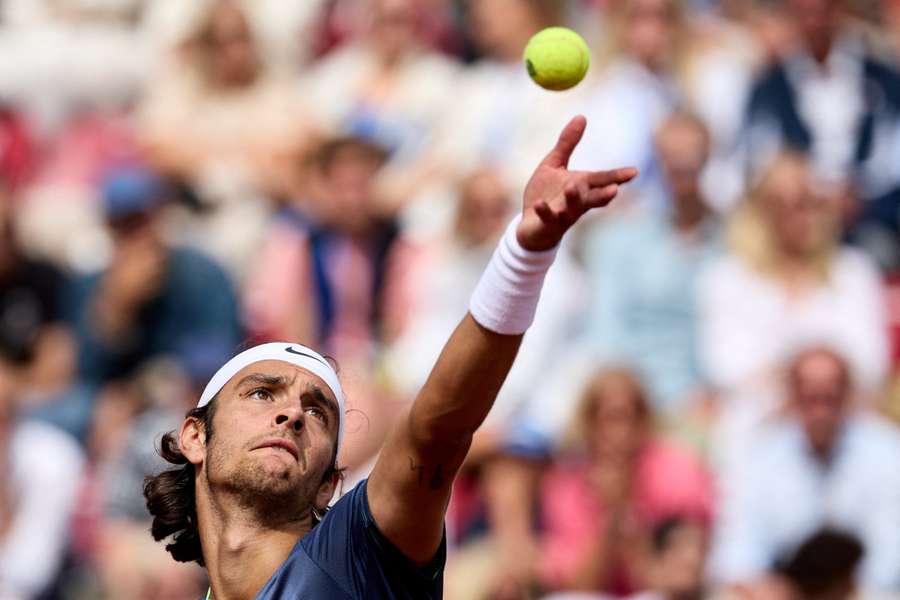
706, 404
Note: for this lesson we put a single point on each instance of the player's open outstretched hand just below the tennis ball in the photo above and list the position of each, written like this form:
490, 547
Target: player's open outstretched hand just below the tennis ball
555, 198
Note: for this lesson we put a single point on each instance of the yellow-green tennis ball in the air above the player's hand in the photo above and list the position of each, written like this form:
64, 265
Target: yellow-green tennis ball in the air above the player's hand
557, 58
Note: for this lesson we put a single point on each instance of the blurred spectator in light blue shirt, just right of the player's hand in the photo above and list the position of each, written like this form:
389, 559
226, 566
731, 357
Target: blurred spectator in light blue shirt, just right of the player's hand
643, 270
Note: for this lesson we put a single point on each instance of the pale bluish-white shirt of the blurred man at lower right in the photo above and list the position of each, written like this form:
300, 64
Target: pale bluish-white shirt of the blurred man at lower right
784, 495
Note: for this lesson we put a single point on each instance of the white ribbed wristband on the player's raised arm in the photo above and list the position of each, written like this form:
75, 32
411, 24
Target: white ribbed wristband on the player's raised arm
507, 295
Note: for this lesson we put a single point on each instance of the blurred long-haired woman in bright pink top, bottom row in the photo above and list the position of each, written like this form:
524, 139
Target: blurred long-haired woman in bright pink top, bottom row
596, 505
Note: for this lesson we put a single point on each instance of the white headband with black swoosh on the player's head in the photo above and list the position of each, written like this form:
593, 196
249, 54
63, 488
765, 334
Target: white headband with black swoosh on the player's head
294, 354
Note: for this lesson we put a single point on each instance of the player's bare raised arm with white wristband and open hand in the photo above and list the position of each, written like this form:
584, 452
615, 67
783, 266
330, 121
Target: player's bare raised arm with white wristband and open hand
410, 486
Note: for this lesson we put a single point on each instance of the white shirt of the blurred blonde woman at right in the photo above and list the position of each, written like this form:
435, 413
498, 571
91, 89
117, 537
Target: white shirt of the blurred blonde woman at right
749, 325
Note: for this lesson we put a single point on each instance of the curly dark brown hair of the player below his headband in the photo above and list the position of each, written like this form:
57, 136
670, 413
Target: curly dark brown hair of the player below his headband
171, 495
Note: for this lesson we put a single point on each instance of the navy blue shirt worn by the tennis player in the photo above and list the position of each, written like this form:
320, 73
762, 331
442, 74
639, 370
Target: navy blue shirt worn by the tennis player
347, 557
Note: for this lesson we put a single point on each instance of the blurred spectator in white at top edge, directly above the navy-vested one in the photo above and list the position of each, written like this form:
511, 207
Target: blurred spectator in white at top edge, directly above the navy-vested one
386, 86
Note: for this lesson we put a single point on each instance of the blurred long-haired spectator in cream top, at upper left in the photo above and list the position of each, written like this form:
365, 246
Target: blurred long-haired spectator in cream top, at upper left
197, 120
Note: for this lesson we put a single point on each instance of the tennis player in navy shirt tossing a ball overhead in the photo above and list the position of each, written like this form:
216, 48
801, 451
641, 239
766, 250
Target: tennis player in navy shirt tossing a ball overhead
256, 458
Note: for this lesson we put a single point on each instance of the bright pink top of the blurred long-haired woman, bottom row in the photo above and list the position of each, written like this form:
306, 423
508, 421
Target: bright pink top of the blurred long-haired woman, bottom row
668, 481
